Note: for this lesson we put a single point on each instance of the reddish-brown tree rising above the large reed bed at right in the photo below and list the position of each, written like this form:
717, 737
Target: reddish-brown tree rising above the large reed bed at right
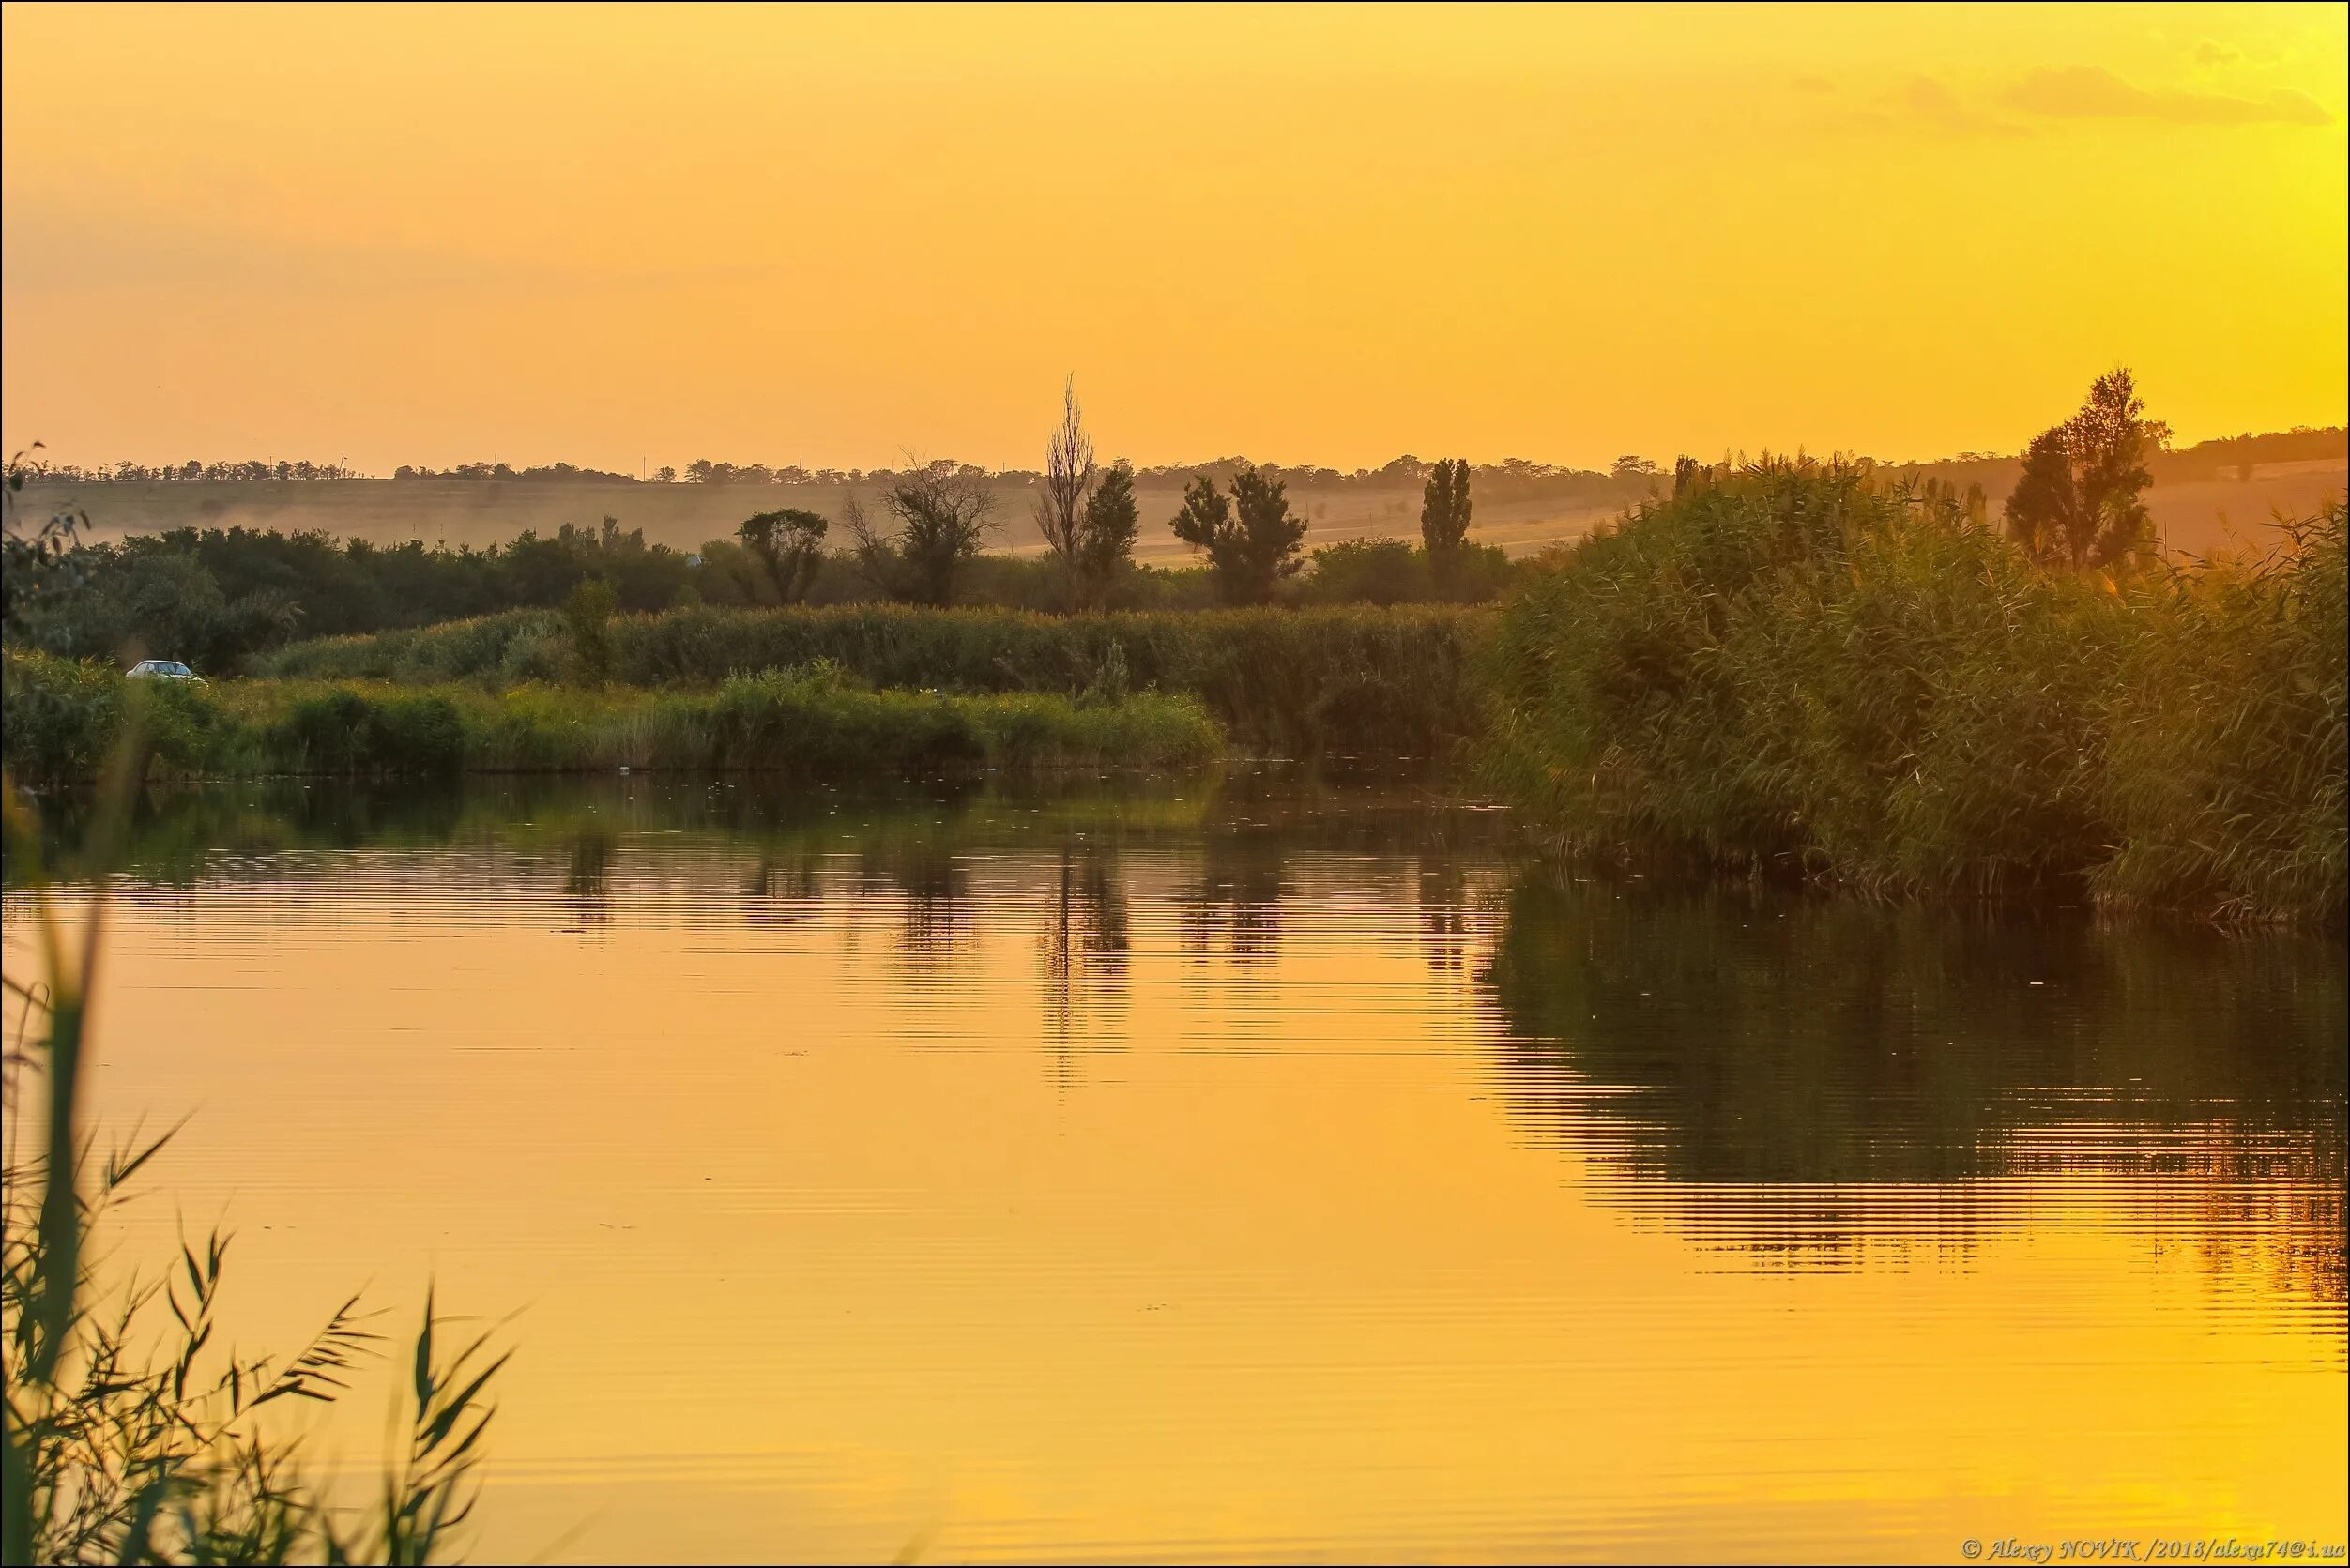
2081, 497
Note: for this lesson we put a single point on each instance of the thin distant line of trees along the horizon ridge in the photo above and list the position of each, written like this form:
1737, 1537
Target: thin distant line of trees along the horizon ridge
1508, 481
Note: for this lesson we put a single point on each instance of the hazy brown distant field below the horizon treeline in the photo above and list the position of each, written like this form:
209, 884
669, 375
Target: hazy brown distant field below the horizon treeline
2196, 518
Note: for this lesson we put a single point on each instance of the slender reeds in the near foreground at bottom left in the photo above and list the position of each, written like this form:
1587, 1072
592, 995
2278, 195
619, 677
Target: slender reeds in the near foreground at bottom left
126, 1442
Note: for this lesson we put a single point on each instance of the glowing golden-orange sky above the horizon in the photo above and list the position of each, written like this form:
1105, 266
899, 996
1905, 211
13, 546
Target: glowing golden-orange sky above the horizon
1334, 234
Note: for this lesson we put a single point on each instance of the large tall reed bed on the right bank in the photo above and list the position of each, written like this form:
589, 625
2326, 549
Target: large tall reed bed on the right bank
1797, 669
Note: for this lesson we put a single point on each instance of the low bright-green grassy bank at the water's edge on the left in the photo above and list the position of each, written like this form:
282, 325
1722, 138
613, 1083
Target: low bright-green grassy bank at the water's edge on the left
65, 716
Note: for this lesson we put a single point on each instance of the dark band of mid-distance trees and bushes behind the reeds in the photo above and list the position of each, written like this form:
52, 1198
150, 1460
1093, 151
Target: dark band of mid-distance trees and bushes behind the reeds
222, 596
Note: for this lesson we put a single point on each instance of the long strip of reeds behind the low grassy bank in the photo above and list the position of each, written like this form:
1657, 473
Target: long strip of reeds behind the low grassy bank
1305, 681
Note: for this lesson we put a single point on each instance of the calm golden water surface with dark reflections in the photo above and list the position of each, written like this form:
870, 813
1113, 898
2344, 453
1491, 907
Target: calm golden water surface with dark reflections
1240, 1172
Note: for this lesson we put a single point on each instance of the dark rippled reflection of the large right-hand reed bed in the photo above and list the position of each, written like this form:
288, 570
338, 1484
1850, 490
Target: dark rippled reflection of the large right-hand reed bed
1820, 1078
